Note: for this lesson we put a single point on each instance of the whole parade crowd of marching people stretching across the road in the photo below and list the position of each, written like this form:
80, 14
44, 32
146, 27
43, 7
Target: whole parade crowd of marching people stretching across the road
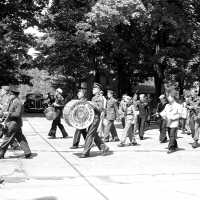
134, 113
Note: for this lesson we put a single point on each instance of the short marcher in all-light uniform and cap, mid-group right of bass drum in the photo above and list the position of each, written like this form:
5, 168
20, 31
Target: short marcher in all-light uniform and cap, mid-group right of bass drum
130, 122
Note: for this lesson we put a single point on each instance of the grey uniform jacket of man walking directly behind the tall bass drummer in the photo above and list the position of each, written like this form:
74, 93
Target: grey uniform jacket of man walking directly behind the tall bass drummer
111, 109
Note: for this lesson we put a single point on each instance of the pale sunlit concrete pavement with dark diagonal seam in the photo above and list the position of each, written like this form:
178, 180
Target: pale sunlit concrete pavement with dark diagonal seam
57, 173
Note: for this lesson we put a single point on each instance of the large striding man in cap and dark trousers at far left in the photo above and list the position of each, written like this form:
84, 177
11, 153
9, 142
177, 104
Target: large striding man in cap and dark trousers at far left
13, 124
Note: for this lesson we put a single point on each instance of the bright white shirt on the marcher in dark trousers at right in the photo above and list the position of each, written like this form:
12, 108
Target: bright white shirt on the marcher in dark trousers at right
172, 113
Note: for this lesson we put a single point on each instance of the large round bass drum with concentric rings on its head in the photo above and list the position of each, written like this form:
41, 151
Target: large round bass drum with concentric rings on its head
78, 114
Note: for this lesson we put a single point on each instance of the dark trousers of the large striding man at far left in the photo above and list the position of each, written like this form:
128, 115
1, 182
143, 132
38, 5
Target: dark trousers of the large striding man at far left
13, 132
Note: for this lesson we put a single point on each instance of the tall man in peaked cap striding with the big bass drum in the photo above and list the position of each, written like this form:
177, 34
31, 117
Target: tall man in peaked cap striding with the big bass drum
92, 134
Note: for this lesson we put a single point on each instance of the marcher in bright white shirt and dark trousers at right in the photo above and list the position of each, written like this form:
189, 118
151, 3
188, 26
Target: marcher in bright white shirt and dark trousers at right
171, 114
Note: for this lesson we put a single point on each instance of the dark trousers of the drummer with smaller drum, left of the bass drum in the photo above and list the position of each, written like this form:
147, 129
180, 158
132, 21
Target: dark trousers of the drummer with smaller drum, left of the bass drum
57, 122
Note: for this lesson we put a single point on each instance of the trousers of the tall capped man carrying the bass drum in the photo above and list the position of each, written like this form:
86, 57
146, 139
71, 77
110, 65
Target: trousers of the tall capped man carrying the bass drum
92, 135
